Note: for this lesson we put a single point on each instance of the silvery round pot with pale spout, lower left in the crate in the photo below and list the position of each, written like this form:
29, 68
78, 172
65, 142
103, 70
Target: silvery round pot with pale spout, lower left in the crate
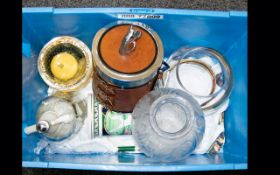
56, 119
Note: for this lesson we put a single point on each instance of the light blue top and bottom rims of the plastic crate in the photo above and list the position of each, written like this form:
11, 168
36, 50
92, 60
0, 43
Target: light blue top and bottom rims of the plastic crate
125, 167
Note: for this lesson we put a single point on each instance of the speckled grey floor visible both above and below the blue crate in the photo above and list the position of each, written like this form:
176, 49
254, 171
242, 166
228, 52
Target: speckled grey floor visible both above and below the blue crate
223, 5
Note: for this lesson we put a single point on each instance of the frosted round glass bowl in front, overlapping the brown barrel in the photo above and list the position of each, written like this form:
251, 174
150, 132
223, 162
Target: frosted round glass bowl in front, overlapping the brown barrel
167, 124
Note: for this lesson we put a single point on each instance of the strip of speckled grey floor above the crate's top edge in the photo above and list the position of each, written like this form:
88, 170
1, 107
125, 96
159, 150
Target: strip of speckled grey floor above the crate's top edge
189, 4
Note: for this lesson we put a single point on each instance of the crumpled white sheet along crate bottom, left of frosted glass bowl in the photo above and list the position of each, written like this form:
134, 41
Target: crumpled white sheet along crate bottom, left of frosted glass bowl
79, 144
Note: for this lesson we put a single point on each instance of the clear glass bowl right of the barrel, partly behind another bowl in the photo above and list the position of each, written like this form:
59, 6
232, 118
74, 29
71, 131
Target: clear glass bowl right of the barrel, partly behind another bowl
201, 72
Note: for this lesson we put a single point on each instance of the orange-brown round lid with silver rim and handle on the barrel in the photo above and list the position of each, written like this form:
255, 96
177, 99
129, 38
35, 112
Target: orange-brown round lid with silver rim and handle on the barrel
127, 54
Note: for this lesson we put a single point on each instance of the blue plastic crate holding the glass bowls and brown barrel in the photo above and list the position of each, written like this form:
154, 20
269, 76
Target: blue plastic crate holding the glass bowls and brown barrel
223, 31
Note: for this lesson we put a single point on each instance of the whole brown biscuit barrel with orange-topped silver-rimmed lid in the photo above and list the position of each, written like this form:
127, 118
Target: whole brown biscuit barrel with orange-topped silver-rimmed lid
127, 57
